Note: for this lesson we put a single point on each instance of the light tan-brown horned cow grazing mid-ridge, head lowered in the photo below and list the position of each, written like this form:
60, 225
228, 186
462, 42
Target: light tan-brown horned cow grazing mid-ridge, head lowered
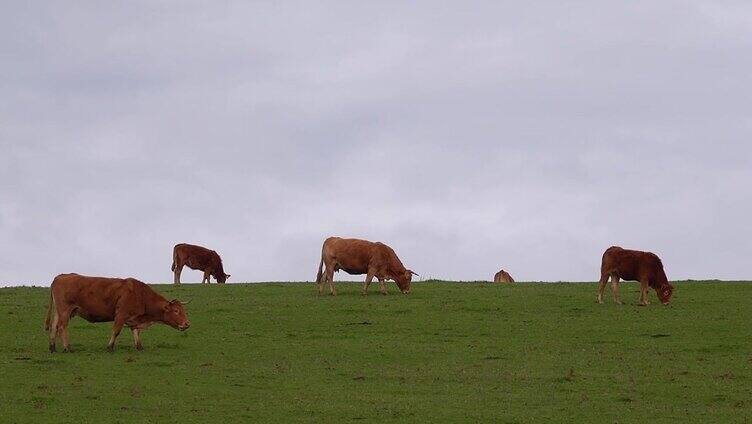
359, 257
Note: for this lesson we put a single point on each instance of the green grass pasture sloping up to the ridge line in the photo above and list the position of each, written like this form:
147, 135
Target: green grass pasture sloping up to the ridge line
448, 352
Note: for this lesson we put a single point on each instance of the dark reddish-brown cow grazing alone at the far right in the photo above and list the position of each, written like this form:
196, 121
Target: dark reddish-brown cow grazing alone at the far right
644, 267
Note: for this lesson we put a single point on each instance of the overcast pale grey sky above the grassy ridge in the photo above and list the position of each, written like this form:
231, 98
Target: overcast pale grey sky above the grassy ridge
470, 137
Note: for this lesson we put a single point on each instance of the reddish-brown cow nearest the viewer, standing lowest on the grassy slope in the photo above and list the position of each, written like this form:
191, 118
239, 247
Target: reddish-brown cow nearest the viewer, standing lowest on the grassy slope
97, 299
